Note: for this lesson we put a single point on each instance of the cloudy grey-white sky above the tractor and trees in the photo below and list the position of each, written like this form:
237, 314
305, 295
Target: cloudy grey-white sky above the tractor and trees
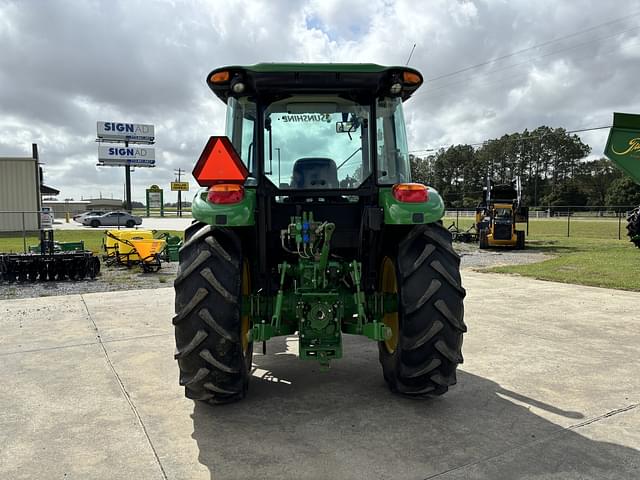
66, 64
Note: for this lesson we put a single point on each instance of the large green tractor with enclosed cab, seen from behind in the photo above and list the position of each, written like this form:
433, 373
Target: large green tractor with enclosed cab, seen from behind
308, 223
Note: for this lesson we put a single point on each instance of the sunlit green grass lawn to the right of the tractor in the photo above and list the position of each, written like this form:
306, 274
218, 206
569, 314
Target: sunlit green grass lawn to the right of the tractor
592, 255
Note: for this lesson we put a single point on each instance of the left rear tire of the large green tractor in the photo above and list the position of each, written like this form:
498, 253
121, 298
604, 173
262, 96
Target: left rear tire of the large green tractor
214, 360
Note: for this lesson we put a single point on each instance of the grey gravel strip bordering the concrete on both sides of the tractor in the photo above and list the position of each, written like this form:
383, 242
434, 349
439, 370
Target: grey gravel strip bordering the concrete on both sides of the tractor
122, 278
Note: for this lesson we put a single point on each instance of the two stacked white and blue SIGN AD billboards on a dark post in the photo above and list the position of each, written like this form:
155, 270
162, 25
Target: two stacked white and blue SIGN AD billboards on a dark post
112, 156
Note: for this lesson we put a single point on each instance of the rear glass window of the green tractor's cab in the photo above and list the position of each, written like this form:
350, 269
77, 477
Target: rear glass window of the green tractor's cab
316, 144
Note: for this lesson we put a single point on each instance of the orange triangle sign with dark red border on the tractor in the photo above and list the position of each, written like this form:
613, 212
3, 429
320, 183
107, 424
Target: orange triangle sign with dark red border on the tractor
219, 163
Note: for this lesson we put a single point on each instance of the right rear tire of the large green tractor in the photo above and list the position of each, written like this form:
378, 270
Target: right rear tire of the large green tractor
428, 342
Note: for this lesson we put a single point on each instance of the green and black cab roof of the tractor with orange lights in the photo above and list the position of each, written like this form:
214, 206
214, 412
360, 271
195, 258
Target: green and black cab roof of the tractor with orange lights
355, 79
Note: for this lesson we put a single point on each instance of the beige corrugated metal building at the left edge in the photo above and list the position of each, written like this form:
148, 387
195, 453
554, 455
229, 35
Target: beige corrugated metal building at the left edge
20, 193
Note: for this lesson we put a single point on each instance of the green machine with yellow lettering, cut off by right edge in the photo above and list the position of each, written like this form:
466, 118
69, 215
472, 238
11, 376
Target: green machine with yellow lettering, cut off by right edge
623, 148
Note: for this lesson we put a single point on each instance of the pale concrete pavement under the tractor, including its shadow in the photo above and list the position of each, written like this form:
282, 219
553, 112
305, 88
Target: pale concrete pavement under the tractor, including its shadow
549, 389
